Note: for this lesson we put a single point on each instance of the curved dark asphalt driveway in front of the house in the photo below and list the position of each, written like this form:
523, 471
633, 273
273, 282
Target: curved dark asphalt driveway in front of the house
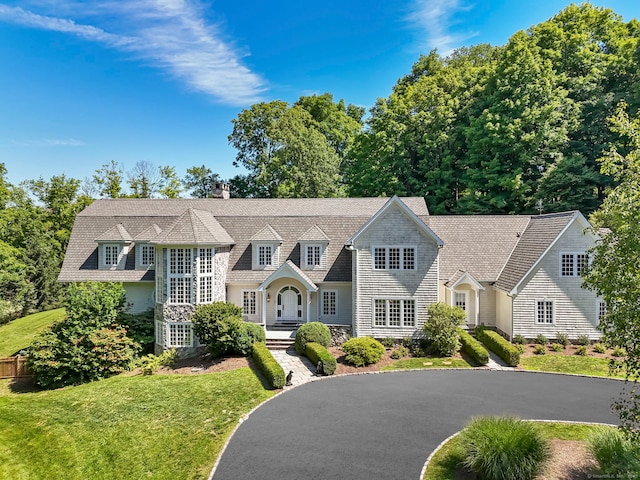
364, 427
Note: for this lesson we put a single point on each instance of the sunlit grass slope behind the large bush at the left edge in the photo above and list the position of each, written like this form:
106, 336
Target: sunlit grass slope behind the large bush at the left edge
18, 334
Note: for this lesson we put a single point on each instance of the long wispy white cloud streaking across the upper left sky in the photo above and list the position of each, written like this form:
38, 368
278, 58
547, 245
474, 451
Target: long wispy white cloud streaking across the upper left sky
172, 35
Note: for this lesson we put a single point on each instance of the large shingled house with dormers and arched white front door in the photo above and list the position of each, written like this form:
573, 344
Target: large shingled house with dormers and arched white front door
366, 266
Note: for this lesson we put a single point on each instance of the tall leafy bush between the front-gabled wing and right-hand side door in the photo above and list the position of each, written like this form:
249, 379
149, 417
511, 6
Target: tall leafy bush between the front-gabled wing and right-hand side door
441, 328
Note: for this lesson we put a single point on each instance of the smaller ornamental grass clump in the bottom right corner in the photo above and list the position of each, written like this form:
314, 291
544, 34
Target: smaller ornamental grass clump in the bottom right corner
616, 456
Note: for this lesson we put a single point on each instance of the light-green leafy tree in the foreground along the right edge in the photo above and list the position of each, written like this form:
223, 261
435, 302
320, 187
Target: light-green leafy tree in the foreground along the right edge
614, 271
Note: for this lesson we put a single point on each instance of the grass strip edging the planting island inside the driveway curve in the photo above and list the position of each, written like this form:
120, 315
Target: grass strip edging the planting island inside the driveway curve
445, 464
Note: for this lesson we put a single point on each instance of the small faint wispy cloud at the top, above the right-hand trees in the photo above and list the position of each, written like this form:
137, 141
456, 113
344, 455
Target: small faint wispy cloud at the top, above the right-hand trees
436, 20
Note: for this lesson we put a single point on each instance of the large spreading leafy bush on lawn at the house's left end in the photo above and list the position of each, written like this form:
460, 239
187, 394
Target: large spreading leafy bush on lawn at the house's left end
88, 344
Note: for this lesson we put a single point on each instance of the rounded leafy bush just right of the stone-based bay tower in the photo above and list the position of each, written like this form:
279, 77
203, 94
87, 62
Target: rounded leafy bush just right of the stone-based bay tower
217, 325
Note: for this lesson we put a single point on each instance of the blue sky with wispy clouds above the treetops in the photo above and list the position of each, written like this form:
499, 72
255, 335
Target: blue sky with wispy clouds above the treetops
84, 83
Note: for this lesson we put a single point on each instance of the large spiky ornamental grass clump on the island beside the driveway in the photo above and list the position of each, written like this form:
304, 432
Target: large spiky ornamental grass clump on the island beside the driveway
504, 448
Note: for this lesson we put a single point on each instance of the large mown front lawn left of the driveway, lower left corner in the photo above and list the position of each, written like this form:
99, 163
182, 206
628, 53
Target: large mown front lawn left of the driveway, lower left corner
126, 427
